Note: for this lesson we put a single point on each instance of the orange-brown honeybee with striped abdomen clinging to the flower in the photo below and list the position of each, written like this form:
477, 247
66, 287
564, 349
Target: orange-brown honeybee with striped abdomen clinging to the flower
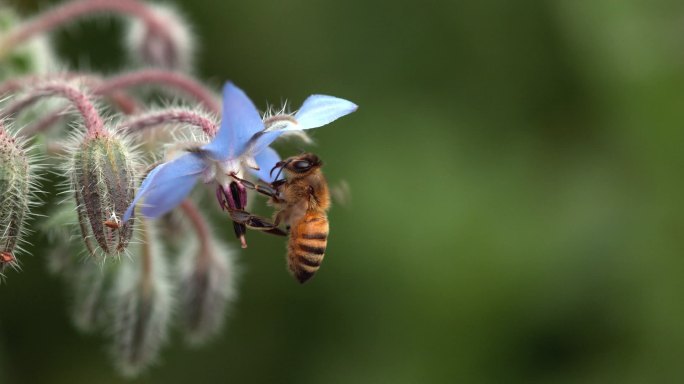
301, 200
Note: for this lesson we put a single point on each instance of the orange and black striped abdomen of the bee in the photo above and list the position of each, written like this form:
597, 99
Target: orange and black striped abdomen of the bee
306, 248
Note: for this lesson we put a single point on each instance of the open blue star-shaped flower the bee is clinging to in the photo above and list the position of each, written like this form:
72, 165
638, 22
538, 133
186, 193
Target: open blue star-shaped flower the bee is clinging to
243, 138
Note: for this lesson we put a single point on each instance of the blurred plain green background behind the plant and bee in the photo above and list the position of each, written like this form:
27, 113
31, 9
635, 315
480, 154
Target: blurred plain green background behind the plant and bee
516, 182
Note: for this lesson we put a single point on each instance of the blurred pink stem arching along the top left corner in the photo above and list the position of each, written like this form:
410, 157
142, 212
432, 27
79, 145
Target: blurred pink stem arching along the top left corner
72, 10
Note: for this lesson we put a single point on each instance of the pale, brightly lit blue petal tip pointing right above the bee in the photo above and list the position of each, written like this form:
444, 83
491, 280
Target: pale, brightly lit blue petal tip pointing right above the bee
319, 110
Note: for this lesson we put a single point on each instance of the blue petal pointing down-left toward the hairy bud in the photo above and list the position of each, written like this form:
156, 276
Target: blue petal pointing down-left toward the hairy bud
167, 185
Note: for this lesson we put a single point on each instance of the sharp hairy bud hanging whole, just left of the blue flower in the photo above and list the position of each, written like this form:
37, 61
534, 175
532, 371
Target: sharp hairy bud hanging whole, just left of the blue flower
103, 180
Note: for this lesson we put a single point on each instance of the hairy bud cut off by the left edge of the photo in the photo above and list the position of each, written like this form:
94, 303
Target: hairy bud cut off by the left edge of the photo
15, 194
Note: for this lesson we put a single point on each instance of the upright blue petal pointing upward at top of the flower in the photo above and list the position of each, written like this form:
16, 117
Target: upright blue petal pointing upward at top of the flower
240, 121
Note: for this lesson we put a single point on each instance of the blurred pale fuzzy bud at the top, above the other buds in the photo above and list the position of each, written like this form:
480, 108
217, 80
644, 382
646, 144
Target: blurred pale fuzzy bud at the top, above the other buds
164, 41
